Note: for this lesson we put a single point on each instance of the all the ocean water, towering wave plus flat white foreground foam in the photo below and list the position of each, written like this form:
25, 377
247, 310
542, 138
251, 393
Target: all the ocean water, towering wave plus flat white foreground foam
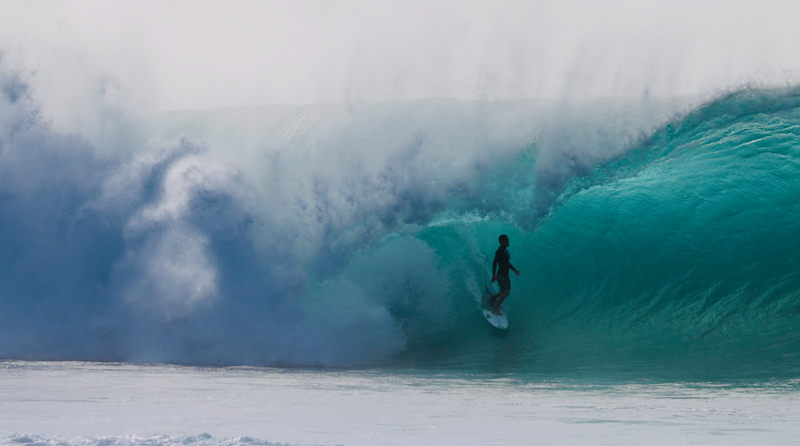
343, 246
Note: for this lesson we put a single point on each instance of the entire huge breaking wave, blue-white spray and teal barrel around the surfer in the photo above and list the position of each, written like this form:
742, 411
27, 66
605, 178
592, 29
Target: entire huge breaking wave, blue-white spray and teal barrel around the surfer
345, 235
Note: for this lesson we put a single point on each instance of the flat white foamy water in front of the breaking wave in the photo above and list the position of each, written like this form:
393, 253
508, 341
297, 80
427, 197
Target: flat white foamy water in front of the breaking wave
102, 404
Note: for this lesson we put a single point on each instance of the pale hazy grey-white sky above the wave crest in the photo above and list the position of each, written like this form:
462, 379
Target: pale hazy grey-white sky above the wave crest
163, 54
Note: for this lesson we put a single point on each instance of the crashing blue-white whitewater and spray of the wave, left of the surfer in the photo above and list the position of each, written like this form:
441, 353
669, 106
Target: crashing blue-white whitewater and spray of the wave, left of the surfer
259, 235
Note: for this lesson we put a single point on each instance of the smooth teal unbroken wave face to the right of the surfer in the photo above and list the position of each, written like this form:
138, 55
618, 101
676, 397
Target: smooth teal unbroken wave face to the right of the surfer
680, 256
